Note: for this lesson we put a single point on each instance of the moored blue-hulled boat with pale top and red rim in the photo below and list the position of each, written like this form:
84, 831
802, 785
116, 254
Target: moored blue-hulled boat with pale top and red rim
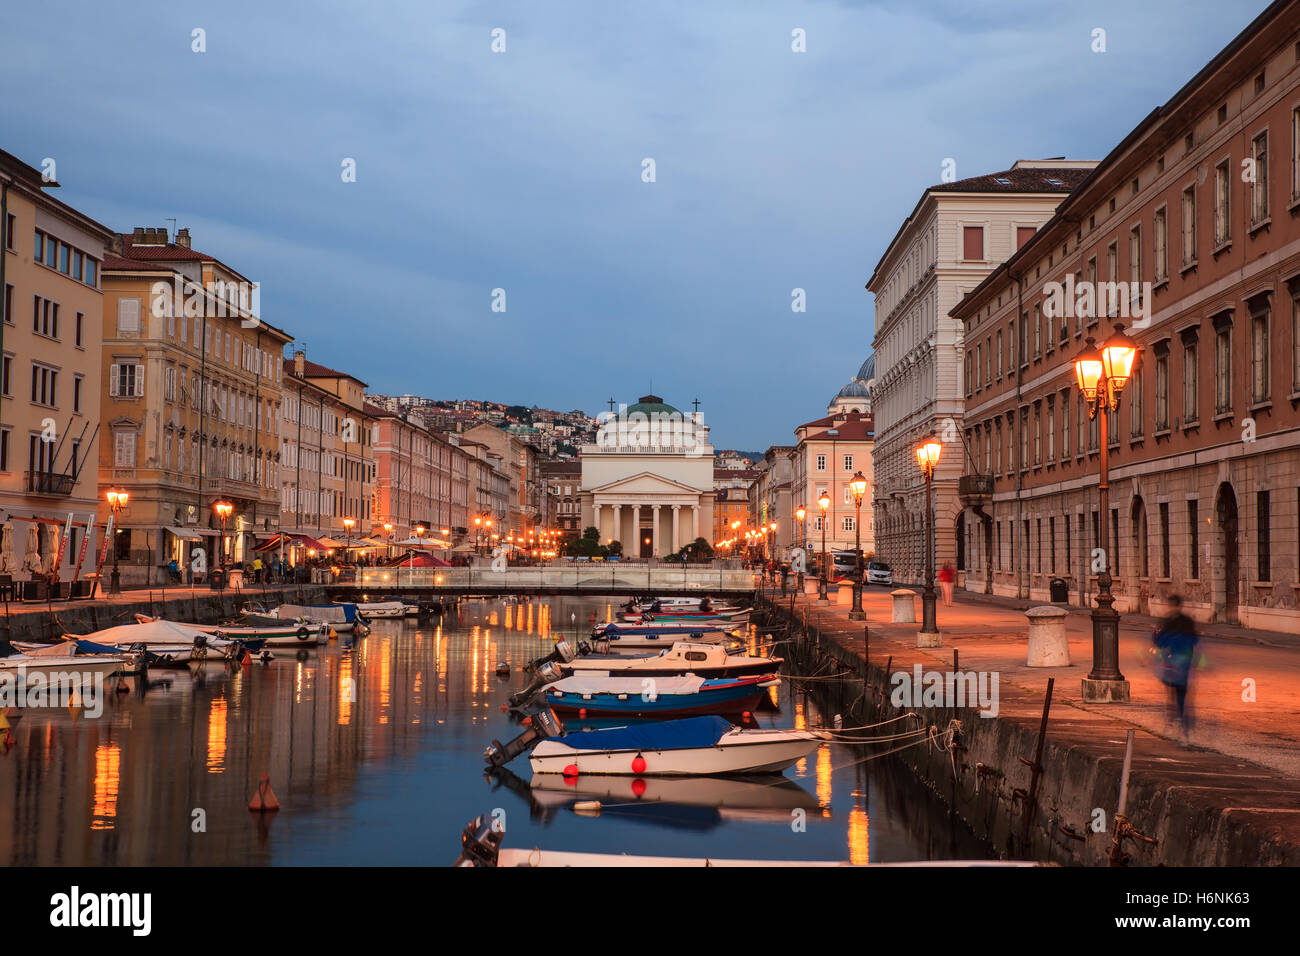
673, 697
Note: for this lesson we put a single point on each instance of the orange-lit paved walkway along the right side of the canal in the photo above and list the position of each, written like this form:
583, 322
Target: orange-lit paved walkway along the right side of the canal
991, 635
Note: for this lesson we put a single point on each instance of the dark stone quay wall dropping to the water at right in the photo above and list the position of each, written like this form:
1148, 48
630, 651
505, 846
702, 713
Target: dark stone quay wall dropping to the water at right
1202, 808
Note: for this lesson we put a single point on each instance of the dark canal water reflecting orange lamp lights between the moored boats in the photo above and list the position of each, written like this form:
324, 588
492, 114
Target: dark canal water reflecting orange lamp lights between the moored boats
375, 751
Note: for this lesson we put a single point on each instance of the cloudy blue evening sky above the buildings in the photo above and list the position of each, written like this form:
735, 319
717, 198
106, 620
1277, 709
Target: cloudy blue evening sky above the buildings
525, 170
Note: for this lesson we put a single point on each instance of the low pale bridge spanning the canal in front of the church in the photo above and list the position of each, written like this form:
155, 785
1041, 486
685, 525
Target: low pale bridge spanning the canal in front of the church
590, 579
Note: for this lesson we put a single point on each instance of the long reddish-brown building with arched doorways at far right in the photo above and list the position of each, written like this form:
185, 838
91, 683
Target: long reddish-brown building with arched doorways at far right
1203, 265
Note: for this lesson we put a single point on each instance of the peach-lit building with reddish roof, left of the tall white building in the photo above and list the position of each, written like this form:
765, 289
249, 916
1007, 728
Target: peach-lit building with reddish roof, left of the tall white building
827, 455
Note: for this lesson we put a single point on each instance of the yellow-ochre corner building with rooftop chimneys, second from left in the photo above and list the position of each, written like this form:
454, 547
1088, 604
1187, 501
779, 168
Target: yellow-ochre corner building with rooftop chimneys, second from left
190, 408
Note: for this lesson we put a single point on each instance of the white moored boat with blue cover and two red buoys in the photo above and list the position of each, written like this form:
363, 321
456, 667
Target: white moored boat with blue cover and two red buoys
694, 747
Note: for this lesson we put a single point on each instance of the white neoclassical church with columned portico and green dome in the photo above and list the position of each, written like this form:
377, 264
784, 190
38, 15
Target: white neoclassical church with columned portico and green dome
648, 482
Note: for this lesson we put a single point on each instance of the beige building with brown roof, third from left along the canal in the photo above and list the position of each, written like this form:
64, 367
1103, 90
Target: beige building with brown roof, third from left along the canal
328, 453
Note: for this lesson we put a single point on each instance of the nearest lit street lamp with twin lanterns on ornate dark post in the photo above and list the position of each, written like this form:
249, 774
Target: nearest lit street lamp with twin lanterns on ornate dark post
1102, 377
